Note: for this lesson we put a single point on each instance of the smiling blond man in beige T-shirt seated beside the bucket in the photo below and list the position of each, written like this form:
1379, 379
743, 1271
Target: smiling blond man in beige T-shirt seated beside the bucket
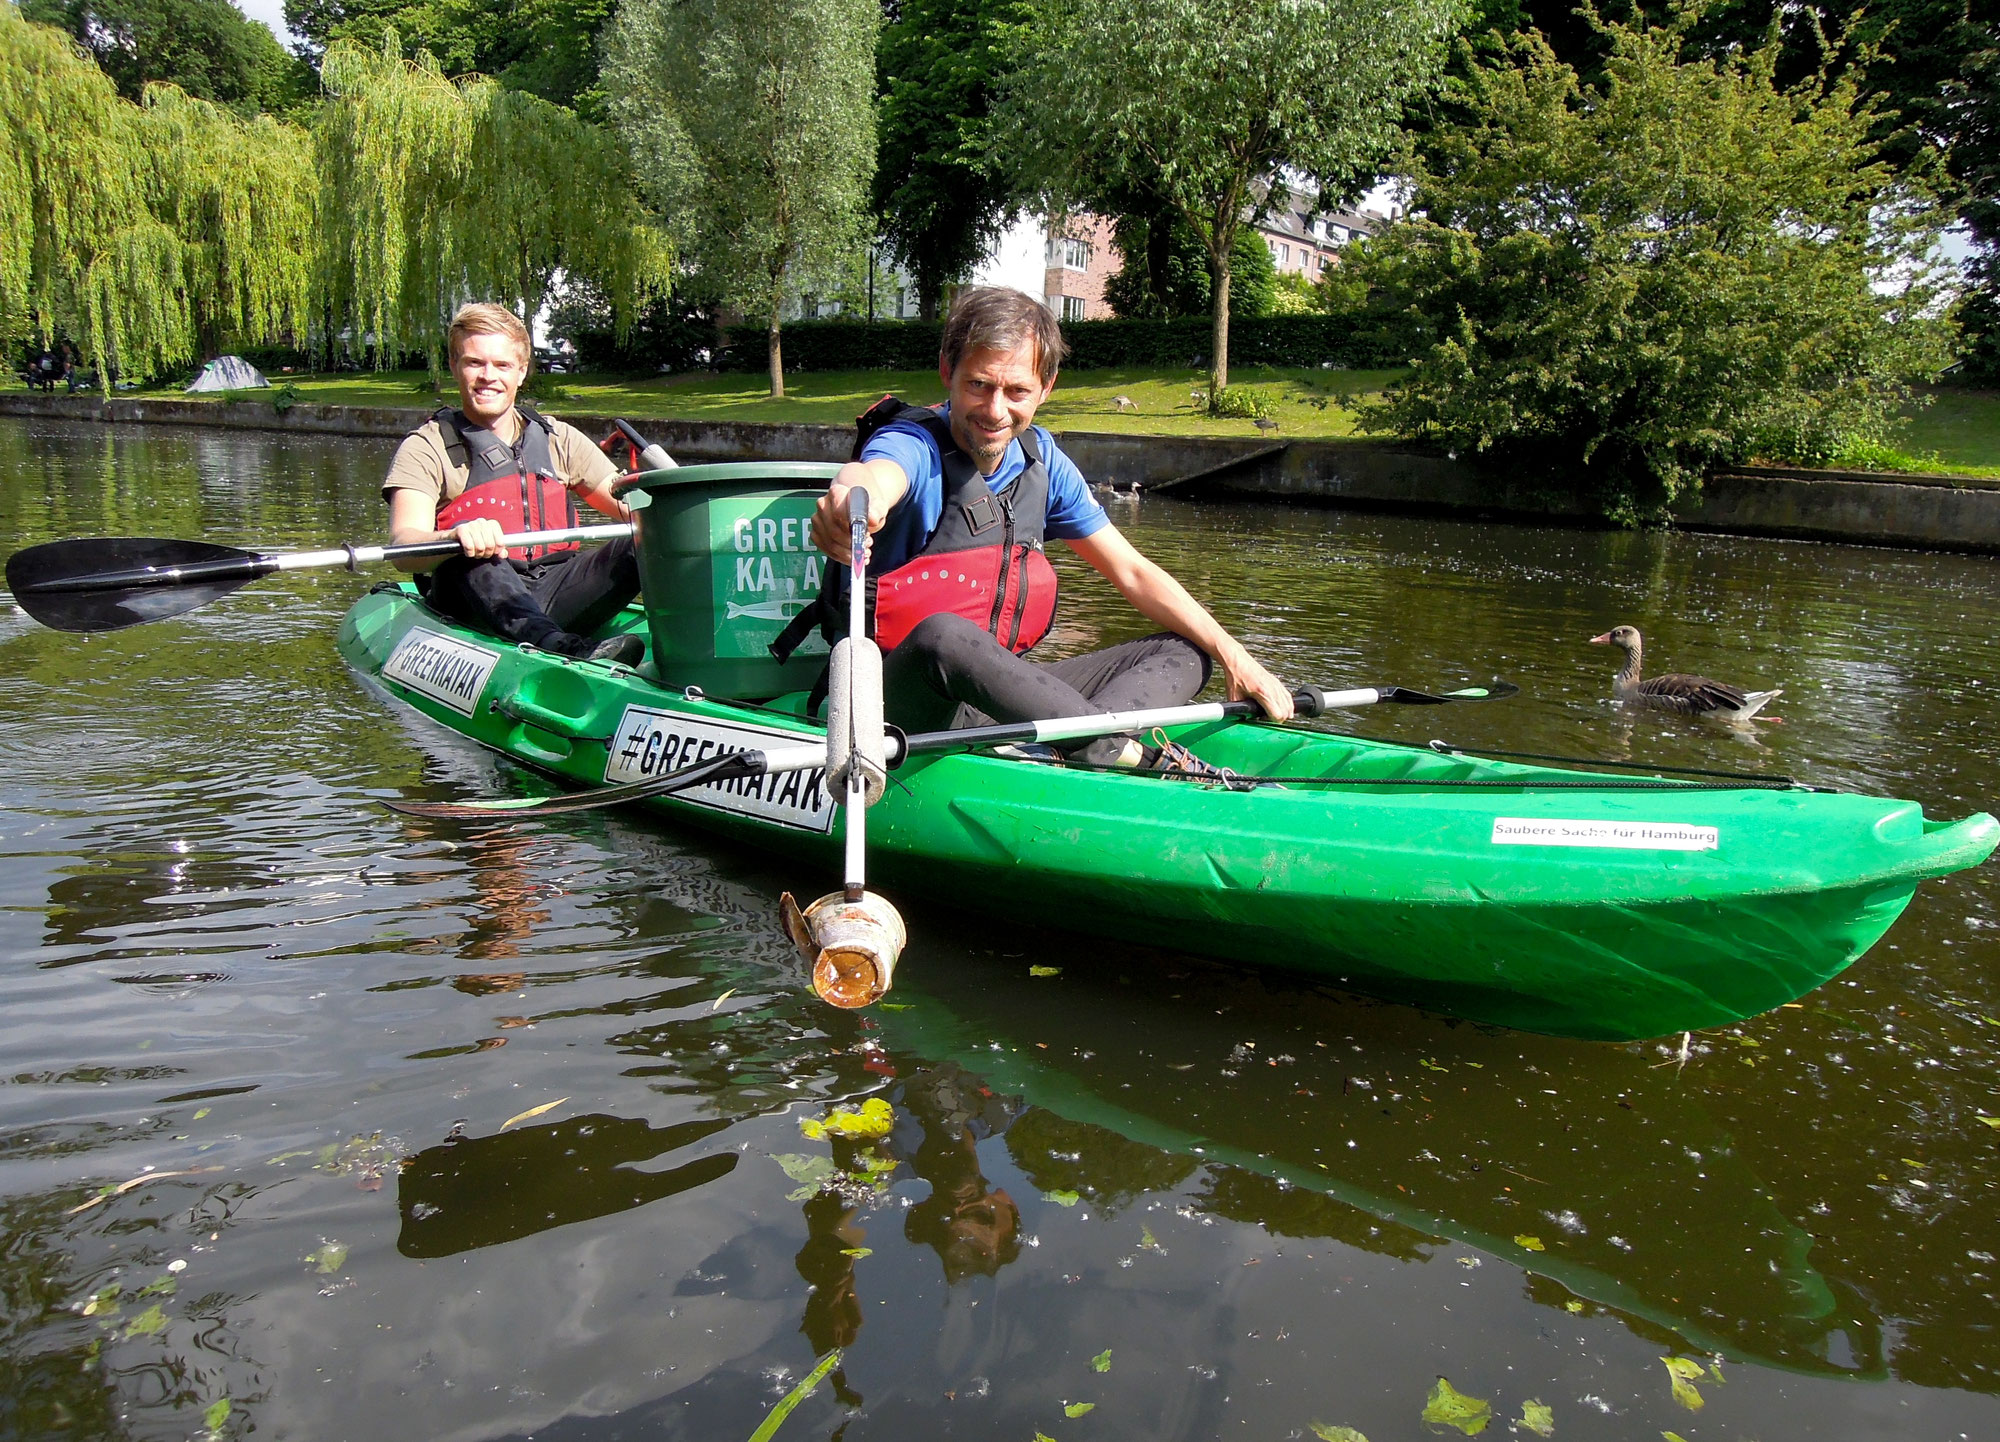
491, 469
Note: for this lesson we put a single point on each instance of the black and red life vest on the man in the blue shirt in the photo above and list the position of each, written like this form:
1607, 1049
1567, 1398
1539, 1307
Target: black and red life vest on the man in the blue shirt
985, 559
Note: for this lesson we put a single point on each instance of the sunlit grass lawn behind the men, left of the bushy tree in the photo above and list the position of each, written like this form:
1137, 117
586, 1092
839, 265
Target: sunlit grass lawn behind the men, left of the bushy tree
1309, 403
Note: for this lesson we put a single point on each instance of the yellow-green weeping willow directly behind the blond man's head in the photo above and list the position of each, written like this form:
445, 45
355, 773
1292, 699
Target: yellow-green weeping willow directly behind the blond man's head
437, 191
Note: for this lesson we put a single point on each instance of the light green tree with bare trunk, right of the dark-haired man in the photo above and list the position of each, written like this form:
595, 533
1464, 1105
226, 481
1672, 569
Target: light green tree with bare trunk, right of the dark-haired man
1201, 99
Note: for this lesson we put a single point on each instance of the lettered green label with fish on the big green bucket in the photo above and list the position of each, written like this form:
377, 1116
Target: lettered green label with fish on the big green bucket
765, 571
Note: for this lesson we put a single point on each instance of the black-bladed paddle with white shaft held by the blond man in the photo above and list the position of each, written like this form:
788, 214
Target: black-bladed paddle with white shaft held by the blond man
125, 581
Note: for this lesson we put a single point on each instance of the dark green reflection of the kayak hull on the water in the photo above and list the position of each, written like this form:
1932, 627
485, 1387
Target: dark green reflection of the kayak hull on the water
1621, 1189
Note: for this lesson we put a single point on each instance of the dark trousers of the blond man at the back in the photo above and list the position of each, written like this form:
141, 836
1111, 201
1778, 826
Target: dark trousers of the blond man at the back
555, 603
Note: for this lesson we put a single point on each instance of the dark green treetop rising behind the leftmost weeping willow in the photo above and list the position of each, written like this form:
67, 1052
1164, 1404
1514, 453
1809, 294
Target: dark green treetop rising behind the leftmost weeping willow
205, 47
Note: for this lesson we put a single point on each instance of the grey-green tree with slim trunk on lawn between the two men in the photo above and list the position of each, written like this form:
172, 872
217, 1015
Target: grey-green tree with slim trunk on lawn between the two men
753, 123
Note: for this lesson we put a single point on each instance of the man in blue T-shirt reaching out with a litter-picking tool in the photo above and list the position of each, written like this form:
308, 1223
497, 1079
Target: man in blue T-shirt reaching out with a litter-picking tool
961, 503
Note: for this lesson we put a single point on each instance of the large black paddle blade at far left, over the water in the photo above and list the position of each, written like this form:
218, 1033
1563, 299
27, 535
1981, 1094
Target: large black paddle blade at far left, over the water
57, 583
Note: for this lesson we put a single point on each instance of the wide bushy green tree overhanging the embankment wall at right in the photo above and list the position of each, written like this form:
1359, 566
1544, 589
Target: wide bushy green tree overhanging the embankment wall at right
1627, 283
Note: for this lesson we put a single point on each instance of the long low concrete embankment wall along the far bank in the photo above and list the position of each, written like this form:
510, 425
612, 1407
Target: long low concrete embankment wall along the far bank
1929, 513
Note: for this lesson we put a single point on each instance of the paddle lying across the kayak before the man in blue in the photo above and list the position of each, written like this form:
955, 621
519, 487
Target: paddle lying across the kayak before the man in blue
777, 761
